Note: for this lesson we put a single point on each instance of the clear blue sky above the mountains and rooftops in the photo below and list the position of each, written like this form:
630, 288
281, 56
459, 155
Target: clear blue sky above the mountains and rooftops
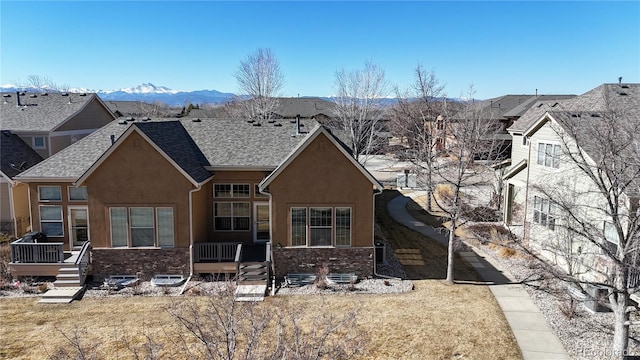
500, 47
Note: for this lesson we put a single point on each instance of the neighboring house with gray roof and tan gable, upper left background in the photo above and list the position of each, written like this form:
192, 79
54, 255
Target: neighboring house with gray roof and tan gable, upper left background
51, 122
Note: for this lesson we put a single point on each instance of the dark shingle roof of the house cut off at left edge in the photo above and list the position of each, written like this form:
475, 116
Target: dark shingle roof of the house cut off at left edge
15, 155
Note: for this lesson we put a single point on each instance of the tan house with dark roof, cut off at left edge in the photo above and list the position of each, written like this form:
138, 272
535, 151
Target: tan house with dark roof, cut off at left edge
15, 157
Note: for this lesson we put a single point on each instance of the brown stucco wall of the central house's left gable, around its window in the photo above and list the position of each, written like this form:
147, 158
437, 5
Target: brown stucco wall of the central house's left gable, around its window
135, 174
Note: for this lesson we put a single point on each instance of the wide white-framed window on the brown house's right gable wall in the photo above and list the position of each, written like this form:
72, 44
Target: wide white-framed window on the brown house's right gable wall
320, 226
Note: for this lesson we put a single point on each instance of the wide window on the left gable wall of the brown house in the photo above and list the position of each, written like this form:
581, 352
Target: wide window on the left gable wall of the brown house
142, 227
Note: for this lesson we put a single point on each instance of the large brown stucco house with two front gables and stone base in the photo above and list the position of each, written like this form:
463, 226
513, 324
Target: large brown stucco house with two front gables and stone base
178, 196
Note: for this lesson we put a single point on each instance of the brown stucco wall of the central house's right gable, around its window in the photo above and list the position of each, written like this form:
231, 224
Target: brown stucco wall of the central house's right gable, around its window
322, 176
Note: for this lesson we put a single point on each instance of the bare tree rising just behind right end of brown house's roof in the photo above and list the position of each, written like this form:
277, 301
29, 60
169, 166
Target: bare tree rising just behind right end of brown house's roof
358, 110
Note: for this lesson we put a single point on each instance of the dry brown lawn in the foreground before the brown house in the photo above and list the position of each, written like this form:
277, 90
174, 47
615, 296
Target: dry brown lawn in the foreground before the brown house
436, 321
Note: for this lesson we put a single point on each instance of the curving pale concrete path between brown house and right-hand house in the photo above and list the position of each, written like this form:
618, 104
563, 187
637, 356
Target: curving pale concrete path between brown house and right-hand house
535, 339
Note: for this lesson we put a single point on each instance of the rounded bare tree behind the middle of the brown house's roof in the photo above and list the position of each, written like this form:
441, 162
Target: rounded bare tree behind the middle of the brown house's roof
260, 78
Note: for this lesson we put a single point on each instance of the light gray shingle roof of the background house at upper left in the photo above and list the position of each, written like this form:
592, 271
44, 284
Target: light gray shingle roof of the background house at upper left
39, 112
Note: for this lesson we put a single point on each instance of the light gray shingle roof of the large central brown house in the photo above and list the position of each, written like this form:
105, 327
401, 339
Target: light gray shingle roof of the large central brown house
223, 142
